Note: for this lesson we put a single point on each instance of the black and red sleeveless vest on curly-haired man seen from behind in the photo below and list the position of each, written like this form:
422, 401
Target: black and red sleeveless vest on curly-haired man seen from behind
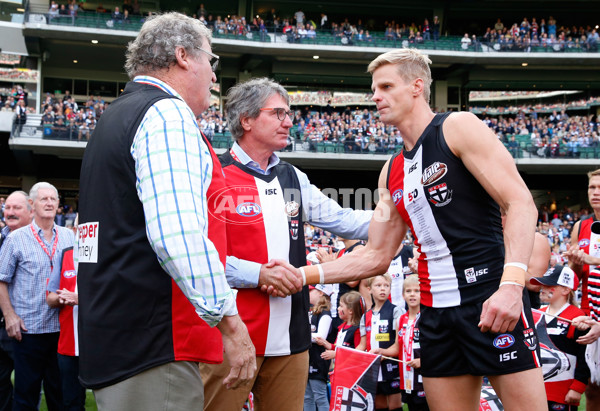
156, 323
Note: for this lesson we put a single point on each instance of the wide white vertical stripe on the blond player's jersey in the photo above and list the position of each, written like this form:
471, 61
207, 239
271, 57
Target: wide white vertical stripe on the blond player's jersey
444, 284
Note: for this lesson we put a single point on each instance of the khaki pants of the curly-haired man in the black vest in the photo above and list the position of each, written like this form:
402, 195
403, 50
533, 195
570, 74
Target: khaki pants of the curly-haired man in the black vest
175, 386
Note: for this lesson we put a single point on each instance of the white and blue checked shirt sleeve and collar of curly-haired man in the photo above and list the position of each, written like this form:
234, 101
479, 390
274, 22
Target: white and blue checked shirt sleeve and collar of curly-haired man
173, 167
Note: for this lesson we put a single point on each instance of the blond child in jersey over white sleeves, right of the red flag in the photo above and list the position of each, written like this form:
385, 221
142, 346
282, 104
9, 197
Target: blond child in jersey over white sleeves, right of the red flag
378, 329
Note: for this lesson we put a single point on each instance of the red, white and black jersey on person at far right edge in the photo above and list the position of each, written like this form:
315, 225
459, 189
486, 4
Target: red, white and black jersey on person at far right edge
589, 242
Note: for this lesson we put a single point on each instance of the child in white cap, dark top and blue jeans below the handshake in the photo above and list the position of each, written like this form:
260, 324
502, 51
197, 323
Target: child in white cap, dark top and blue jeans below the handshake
315, 397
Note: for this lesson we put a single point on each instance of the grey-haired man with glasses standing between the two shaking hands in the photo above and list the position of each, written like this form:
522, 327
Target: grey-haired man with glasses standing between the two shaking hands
265, 206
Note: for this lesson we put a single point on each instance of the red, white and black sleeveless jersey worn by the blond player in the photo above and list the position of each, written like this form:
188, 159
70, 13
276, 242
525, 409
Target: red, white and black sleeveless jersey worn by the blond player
456, 223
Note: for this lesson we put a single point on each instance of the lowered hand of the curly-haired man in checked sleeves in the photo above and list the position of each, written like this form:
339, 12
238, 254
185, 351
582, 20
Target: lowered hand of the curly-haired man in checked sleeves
239, 350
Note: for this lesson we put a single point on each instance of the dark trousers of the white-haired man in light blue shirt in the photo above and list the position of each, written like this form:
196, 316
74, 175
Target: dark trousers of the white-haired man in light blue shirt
35, 361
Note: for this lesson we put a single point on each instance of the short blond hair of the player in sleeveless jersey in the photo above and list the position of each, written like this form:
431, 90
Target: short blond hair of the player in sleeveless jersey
411, 64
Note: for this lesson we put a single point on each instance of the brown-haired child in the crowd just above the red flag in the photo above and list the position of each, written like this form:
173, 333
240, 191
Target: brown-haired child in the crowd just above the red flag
350, 311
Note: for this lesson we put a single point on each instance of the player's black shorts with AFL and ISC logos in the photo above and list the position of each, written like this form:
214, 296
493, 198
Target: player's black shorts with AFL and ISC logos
452, 343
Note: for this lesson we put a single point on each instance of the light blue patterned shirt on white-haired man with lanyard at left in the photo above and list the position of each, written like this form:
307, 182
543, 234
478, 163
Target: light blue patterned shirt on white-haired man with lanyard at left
26, 267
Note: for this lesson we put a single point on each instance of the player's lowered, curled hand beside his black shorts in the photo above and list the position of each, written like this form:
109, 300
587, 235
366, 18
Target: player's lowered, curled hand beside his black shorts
501, 312
